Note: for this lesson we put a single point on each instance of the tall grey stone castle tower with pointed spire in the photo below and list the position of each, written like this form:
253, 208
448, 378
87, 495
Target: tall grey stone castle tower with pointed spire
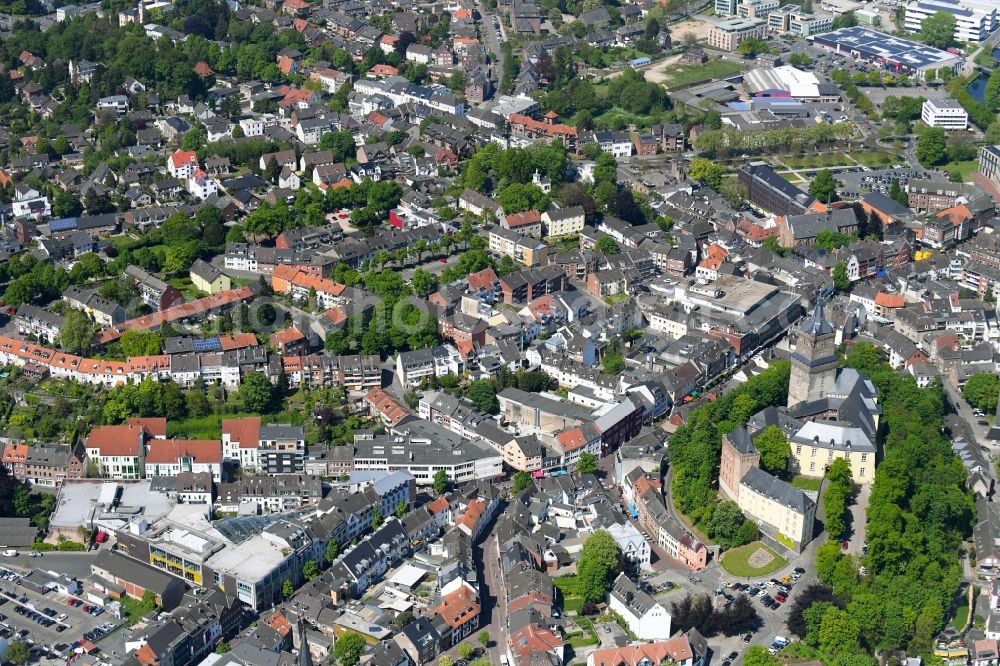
814, 359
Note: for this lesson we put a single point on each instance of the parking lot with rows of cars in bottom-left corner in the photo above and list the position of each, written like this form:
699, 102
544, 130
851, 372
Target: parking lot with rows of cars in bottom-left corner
51, 623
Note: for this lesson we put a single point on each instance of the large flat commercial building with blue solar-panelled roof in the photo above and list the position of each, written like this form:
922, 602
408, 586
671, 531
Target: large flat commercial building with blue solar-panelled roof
900, 56
